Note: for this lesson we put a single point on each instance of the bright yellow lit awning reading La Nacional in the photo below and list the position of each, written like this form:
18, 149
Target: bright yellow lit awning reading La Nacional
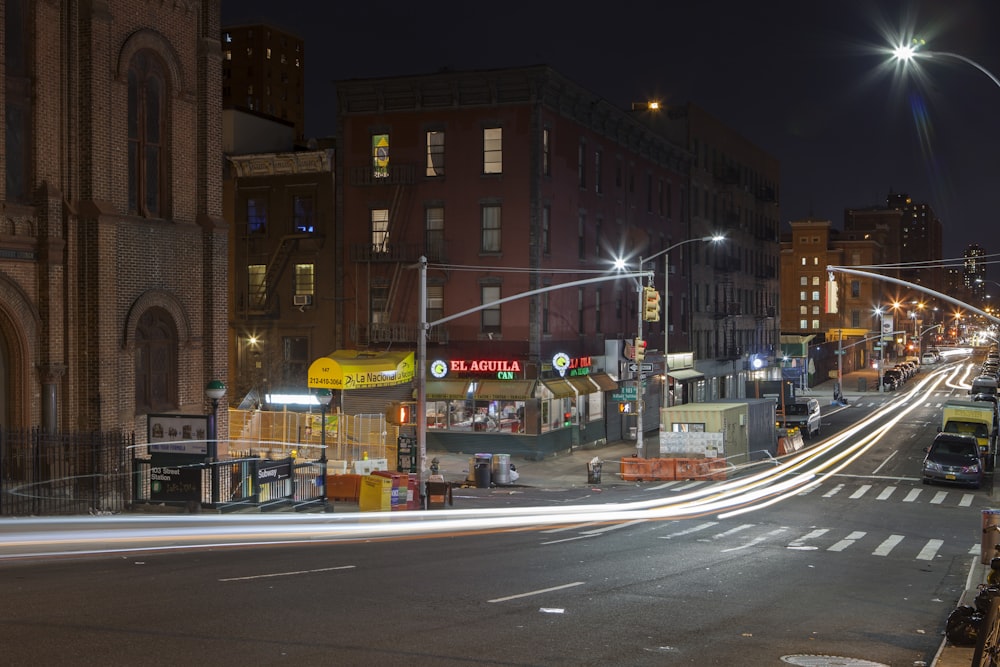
352, 369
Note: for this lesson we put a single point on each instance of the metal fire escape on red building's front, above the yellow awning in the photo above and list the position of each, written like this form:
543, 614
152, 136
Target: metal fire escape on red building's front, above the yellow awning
385, 261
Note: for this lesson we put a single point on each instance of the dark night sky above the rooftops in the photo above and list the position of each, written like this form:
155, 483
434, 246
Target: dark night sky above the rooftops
804, 80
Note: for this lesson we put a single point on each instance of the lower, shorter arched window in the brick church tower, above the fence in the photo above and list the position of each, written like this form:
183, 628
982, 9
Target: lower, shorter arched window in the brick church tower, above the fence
155, 362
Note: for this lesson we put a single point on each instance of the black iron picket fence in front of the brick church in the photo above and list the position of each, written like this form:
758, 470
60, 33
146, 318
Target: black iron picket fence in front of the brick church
64, 473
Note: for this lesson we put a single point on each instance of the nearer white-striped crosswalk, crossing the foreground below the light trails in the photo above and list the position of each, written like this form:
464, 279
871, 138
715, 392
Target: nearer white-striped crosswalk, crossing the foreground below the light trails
740, 537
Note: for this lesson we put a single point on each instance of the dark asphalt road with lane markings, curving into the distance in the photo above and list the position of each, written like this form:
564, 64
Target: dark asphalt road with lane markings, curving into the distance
863, 564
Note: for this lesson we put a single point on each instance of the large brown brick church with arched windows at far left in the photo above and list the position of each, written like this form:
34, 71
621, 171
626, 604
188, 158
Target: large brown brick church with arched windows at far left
112, 246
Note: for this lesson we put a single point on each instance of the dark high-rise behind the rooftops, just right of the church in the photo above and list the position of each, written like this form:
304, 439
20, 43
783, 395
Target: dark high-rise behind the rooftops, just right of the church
263, 70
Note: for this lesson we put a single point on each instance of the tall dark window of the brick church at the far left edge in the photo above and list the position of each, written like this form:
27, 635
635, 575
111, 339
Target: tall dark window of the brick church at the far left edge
18, 100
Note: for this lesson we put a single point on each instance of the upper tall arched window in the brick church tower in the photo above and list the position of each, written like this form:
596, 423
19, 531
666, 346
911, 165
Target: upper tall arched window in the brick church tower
147, 136
